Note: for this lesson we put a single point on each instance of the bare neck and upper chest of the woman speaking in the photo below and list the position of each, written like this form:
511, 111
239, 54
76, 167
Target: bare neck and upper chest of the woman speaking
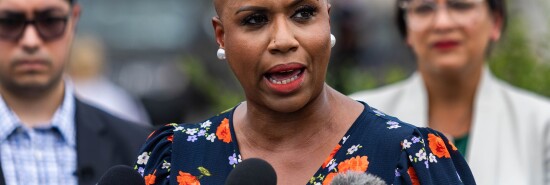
316, 122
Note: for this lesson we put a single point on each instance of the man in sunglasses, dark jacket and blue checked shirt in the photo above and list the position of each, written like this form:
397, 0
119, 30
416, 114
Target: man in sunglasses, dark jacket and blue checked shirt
47, 136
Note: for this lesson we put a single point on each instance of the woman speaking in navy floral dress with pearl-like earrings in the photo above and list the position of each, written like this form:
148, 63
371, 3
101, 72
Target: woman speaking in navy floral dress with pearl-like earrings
279, 51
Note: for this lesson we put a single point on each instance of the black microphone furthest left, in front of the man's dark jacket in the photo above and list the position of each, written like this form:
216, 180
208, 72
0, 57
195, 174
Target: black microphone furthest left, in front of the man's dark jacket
121, 175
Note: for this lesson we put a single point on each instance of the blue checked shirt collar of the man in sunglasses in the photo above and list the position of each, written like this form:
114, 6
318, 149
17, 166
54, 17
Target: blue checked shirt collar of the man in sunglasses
63, 118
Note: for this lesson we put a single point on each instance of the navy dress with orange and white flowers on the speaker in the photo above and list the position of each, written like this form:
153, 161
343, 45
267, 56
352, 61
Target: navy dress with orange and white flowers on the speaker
378, 144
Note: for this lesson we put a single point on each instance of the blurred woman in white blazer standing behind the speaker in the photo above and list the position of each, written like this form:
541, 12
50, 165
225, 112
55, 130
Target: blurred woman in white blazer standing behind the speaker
503, 131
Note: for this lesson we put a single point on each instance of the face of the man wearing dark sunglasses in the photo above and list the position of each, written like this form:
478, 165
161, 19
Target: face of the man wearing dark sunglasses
35, 38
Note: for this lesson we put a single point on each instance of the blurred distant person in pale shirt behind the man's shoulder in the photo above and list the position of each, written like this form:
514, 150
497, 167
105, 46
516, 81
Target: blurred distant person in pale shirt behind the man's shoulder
87, 70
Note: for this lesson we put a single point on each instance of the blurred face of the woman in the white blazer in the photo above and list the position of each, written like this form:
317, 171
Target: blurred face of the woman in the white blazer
450, 36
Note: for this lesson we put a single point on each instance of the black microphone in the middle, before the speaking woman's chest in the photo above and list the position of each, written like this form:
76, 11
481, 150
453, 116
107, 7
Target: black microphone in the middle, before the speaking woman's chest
252, 171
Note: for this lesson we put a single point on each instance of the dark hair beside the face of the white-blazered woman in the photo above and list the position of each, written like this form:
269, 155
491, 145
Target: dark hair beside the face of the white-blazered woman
497, 7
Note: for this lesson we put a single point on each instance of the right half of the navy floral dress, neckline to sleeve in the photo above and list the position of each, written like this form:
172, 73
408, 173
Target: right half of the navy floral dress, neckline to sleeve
377, 141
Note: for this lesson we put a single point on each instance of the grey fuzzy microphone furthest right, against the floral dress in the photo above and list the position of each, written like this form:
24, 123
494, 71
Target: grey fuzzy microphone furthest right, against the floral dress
356, 178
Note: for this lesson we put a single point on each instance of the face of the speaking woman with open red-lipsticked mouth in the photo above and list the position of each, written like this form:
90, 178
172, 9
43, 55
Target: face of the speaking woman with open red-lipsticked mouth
278, 50
